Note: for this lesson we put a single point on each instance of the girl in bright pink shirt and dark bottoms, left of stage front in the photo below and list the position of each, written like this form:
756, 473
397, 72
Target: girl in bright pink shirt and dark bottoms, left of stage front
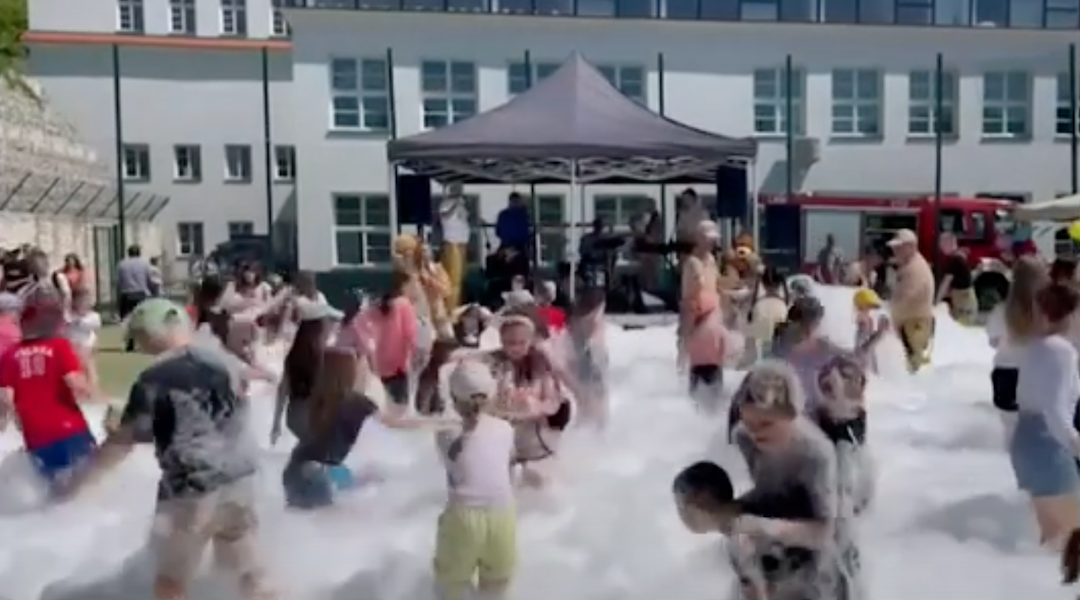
394, 330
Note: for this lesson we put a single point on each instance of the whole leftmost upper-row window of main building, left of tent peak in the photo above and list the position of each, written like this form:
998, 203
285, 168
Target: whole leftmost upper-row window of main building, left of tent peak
360, 94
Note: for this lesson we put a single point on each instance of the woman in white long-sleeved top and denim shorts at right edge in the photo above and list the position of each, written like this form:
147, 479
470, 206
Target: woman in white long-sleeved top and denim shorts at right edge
1045, 444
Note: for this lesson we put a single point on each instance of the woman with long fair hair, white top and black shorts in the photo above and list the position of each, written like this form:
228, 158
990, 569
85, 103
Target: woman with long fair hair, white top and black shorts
1010, 326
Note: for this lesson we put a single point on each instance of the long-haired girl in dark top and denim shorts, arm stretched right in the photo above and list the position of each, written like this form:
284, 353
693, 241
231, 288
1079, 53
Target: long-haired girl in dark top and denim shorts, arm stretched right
336, 415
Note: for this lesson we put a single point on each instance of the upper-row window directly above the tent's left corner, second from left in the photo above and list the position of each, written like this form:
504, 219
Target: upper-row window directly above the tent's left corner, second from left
450, 92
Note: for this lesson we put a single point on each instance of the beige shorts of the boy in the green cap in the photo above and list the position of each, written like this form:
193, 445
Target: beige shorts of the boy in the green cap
225, 517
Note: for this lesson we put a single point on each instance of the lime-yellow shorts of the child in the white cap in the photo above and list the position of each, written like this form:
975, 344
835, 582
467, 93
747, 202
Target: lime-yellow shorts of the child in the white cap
471, 542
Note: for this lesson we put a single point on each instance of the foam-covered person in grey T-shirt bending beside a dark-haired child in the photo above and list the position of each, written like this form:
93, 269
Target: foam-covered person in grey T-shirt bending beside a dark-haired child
807, 550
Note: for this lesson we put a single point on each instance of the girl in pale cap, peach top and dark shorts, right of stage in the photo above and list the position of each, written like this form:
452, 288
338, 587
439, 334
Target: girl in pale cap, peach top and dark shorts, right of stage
701, 320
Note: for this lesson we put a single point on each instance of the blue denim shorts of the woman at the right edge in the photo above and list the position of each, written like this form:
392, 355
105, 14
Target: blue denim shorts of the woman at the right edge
1044, 468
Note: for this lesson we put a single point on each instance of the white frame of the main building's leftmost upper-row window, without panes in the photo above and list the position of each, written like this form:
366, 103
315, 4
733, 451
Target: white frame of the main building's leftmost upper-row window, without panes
364, 98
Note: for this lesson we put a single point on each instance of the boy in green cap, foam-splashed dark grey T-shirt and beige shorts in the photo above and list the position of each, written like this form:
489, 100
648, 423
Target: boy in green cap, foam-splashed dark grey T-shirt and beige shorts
187, 405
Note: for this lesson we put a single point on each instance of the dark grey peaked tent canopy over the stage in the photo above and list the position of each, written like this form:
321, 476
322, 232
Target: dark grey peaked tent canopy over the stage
575, 117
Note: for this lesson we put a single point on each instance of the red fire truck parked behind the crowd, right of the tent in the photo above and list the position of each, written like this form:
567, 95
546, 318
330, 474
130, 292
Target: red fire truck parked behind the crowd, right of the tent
794, 230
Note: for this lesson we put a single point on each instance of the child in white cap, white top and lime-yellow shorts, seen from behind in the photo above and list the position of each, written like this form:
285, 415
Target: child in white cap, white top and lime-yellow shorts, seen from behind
477, 533
